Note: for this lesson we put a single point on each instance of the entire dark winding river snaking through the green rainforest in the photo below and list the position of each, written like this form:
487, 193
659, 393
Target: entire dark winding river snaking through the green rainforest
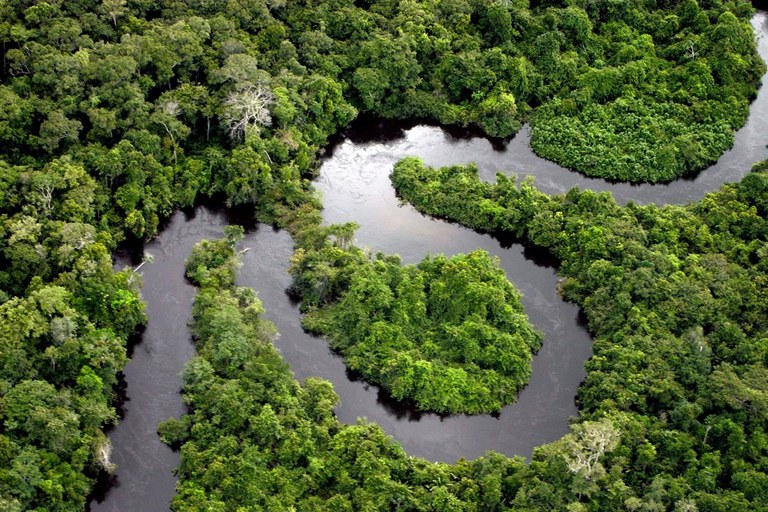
355, 187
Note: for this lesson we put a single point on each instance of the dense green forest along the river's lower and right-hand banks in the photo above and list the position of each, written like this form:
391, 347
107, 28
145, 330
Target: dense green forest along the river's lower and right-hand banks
674, 411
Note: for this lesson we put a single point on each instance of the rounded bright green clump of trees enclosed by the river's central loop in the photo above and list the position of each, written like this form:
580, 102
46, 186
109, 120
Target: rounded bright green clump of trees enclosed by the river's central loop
448, 334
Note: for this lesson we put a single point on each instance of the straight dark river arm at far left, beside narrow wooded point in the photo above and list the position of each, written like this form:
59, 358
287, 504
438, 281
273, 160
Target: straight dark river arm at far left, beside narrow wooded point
144, 480
